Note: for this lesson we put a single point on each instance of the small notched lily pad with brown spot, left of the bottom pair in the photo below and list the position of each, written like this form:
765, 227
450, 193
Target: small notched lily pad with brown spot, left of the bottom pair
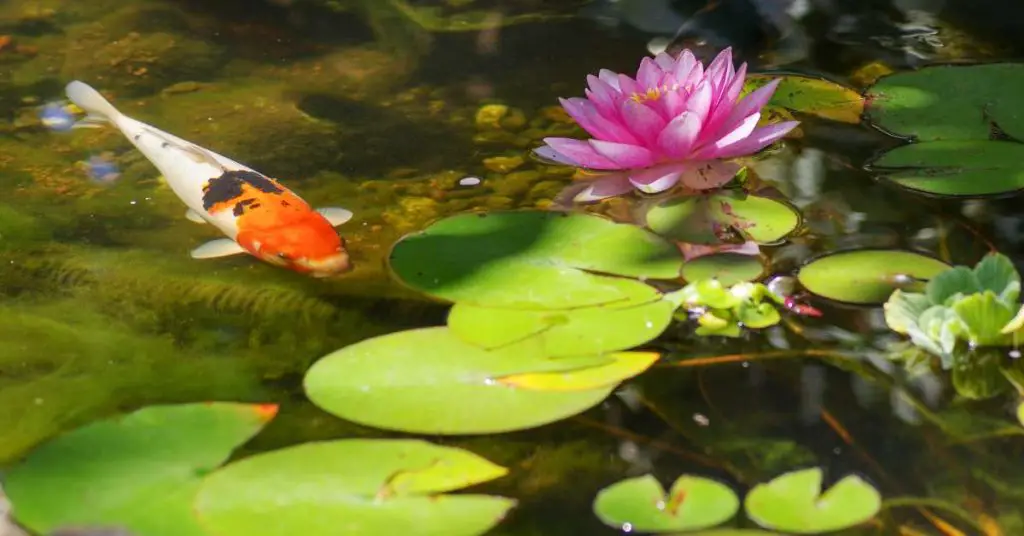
642, 505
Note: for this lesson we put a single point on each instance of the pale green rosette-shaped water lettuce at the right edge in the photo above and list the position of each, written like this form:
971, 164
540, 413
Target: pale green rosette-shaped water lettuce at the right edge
962, 308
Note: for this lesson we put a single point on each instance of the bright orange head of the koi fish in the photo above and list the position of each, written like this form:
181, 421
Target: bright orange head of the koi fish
311, 248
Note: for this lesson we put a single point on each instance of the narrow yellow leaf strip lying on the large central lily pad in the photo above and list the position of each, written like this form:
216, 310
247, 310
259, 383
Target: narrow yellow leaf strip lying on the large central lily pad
625, 365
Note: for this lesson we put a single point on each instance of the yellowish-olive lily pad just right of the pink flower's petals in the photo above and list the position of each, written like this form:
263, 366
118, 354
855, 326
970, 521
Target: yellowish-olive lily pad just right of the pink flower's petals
813, 96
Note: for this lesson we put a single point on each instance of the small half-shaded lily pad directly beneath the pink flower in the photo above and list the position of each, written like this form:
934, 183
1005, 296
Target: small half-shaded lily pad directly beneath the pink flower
701, 220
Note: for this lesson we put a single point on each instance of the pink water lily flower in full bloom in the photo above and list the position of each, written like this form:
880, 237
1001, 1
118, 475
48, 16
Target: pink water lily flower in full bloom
676, 122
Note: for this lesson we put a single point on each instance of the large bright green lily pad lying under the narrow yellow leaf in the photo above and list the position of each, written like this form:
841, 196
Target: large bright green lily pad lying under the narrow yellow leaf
431, 382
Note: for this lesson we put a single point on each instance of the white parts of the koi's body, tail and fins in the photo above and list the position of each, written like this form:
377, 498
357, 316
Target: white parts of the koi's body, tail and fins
186, 167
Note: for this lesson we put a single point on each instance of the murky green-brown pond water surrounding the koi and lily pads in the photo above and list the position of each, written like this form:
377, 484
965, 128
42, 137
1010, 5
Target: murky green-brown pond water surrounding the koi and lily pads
385, 108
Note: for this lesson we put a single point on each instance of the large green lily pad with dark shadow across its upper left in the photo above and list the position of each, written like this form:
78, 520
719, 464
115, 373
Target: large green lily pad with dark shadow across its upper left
534, 260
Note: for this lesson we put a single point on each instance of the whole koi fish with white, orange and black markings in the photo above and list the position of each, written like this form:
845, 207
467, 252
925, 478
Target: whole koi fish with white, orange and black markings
259, 216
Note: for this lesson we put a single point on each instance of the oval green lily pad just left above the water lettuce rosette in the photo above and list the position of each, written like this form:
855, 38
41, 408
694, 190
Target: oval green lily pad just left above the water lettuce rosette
868, 276
